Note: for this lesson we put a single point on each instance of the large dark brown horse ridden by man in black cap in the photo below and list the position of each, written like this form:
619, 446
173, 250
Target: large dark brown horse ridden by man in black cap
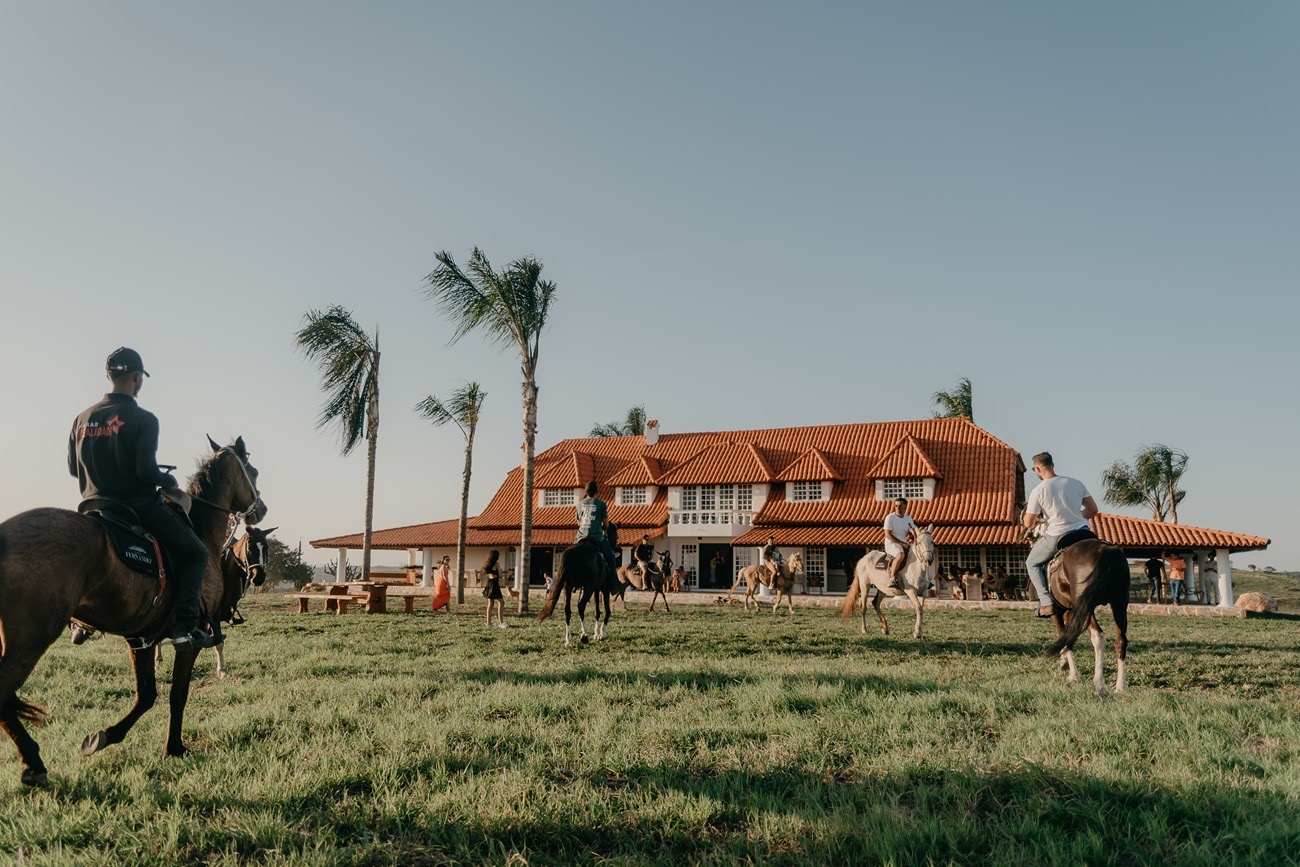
57, 565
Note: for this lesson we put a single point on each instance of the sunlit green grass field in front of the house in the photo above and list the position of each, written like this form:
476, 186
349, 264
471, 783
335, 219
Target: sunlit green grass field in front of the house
701, 738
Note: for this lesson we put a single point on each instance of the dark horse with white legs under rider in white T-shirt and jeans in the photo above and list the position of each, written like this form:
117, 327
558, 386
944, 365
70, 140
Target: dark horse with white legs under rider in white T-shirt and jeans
1091, 574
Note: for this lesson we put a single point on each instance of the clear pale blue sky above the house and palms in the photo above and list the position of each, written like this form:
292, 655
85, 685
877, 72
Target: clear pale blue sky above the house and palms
756, 215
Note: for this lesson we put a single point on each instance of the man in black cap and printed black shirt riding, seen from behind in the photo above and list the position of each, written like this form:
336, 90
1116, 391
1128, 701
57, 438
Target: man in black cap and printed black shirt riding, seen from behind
112, 452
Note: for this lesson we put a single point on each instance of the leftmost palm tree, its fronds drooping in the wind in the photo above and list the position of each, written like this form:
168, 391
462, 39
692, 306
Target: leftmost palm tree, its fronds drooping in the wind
349, 361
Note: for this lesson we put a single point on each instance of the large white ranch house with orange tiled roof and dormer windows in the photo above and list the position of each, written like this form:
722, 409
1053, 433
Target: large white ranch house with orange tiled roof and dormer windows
712, 500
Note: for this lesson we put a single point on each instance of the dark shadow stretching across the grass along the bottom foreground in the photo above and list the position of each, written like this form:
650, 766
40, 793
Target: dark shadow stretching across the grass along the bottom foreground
678, 813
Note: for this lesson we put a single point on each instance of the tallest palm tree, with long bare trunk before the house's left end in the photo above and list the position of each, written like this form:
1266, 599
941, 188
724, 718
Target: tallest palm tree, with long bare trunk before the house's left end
512, 309
